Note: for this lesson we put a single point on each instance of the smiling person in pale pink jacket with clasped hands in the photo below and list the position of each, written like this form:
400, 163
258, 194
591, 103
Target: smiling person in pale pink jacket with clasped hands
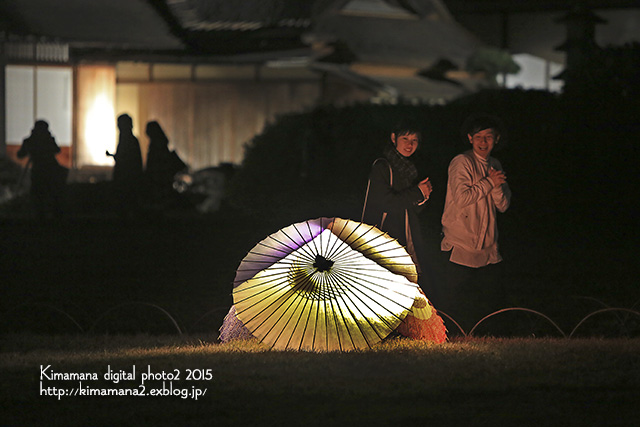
476, 189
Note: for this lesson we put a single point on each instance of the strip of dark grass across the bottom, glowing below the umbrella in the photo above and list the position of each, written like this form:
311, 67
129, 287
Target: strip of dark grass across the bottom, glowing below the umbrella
471, 382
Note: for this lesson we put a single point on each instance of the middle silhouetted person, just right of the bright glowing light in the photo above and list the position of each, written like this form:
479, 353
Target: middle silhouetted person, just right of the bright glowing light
127, 172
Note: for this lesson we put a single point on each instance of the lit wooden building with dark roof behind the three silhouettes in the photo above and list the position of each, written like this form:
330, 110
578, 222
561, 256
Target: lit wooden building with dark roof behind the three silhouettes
214, 74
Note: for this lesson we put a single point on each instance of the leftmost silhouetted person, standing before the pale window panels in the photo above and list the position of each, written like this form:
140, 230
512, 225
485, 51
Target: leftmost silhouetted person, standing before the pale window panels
48, 177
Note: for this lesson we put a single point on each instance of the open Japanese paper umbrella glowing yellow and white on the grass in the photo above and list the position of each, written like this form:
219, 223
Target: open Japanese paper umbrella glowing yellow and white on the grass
325, 284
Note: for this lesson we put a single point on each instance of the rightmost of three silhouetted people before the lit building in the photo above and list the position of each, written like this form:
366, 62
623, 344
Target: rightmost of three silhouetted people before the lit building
162, 165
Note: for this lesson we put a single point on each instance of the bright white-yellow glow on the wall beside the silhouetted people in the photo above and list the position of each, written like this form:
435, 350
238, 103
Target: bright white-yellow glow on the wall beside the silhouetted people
100, 131
